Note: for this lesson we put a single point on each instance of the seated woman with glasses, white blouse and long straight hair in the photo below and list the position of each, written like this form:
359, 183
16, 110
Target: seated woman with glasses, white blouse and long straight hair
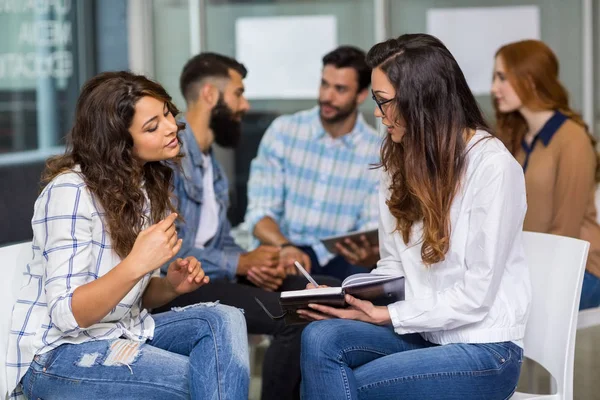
452, 203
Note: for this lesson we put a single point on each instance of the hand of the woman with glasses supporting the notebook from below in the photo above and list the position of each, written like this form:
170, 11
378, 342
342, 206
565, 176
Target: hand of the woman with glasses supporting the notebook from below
358, 310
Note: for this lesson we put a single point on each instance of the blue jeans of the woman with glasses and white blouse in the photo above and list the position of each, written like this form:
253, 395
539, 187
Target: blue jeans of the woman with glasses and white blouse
344, 359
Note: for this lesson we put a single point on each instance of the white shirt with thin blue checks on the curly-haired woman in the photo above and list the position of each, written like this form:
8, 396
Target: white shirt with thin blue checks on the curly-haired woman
70, 248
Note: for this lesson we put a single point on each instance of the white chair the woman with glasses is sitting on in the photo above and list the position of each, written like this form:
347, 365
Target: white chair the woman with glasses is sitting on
556, 267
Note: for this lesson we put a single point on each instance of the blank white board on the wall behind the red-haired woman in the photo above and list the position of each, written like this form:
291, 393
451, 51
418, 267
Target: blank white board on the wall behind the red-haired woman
474, 34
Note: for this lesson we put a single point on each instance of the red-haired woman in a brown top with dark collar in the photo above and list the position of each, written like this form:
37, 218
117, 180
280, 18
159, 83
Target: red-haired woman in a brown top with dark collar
555, 148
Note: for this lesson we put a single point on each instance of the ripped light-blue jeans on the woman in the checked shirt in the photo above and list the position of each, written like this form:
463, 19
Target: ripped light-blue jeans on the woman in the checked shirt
200, 353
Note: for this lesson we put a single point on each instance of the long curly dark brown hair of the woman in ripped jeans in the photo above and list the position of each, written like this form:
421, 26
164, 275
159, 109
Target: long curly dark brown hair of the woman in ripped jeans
100, 143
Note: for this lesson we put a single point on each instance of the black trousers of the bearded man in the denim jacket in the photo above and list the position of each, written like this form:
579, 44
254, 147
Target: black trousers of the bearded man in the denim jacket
281, 367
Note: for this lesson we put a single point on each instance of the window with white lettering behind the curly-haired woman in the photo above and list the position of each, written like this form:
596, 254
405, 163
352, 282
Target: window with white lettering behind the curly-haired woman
39, 73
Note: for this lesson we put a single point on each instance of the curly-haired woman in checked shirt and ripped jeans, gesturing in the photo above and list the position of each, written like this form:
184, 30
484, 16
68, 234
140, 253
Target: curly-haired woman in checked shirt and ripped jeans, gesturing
102, 227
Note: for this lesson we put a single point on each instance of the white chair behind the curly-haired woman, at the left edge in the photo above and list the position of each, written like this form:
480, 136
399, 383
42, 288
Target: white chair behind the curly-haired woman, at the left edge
13, 260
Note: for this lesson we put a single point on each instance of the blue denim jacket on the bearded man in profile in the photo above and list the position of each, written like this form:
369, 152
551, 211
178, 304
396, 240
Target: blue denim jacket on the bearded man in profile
220, 256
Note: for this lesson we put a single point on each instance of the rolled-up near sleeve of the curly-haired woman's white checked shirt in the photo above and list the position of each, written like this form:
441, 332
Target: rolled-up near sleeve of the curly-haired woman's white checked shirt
63, 219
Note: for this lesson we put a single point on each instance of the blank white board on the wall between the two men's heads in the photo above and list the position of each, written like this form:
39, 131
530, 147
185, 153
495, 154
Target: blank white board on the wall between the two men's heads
283, 55
